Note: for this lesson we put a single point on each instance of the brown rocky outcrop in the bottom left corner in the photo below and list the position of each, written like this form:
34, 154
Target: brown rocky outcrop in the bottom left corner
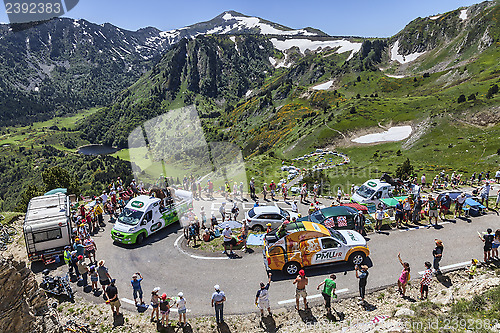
22, 303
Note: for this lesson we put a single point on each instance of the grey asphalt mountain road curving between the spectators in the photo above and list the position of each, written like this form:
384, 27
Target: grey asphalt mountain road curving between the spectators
162, 264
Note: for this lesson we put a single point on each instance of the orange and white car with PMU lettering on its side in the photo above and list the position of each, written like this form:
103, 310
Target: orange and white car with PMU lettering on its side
303, 244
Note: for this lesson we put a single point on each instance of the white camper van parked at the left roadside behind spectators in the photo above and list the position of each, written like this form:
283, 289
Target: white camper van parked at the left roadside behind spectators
47, 227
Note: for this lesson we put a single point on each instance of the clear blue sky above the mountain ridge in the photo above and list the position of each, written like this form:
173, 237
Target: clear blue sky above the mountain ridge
367, 18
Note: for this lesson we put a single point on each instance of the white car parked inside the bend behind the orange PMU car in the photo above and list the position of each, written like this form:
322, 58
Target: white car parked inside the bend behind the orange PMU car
258, 217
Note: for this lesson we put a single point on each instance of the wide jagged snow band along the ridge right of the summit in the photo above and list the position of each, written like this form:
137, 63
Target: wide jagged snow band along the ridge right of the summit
313, 45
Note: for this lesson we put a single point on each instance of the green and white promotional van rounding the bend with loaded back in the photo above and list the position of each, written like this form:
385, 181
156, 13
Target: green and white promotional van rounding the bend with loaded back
145, 215
